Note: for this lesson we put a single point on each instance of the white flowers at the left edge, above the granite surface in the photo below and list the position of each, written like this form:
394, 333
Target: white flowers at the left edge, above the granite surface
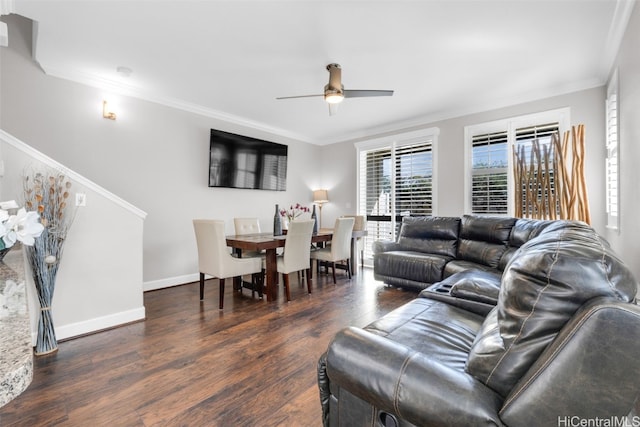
22, 227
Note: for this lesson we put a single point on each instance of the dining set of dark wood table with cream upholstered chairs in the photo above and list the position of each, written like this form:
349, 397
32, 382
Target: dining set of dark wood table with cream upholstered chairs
265, 256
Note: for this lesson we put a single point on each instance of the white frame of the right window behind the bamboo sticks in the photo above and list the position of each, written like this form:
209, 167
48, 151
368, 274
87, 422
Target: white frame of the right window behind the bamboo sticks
560, 115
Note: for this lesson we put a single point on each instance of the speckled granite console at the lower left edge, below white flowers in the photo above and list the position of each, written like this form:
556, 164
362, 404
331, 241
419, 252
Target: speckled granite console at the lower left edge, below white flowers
16, 351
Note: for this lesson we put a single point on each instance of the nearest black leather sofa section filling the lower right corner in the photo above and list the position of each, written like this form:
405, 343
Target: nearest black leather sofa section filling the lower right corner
559, 347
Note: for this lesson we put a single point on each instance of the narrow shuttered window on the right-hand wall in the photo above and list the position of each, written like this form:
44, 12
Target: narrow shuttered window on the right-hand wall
612, 166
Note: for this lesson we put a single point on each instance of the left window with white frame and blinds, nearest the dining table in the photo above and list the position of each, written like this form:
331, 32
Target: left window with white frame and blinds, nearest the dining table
395, 179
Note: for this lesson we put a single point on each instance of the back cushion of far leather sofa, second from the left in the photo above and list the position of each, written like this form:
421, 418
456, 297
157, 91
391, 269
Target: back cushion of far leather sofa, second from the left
483, 239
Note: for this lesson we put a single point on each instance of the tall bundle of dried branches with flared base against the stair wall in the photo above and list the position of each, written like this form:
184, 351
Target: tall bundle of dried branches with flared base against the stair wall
47, 194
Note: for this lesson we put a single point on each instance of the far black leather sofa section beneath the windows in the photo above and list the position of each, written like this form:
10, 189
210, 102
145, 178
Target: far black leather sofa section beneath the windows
429, 249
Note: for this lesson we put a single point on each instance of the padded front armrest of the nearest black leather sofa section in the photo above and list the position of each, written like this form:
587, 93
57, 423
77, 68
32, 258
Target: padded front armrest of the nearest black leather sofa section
411, 385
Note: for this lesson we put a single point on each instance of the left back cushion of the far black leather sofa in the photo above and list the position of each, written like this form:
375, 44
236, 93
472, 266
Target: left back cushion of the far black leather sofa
434, 235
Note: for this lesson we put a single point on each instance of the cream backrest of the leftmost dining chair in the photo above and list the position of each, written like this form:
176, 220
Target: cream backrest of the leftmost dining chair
212, 246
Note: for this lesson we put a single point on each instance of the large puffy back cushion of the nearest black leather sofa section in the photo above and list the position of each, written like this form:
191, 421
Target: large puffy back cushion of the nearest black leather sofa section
543, 285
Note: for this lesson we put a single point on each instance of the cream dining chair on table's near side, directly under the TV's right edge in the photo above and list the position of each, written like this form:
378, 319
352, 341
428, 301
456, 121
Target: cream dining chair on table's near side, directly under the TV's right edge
297, 248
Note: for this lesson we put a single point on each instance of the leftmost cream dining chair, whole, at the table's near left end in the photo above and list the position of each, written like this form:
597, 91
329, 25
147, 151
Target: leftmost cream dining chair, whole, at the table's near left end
214, 258
